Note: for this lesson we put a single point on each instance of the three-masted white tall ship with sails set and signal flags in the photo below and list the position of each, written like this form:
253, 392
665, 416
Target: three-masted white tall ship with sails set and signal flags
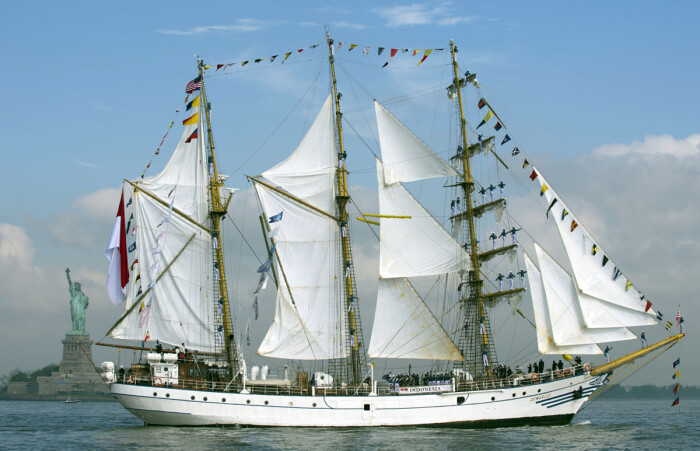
167, 271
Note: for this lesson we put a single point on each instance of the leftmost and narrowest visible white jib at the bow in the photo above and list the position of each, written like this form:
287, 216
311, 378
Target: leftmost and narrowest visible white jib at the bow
545, 338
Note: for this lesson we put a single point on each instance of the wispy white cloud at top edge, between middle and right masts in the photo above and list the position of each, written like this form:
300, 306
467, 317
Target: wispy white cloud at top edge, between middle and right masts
421, 14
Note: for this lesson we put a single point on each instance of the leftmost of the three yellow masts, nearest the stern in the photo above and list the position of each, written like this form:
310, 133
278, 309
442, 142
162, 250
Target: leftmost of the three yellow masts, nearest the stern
217, 211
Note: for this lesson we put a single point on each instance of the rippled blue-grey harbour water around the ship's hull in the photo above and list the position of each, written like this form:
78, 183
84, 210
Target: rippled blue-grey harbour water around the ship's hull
106, 425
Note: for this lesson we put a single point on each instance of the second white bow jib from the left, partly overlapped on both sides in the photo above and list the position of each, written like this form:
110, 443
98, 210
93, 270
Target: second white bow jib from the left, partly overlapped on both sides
566, 319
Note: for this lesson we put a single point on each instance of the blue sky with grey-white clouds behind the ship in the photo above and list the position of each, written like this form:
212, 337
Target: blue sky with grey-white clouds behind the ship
601, 96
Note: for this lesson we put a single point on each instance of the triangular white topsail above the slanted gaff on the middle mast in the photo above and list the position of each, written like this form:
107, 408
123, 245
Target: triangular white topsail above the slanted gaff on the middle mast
309, 171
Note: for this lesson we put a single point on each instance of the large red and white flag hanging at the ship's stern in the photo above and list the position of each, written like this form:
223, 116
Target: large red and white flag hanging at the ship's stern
118, 275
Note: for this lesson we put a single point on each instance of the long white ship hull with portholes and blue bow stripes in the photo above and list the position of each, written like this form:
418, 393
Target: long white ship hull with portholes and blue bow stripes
545, 403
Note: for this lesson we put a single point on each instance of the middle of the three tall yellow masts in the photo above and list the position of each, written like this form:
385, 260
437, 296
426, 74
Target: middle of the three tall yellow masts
342, 198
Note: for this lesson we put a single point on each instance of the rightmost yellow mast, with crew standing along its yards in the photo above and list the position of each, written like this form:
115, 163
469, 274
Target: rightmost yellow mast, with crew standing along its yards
473, 343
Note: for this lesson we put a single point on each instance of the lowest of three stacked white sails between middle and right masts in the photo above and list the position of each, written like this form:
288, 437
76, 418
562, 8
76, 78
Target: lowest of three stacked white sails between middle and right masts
404, 327
